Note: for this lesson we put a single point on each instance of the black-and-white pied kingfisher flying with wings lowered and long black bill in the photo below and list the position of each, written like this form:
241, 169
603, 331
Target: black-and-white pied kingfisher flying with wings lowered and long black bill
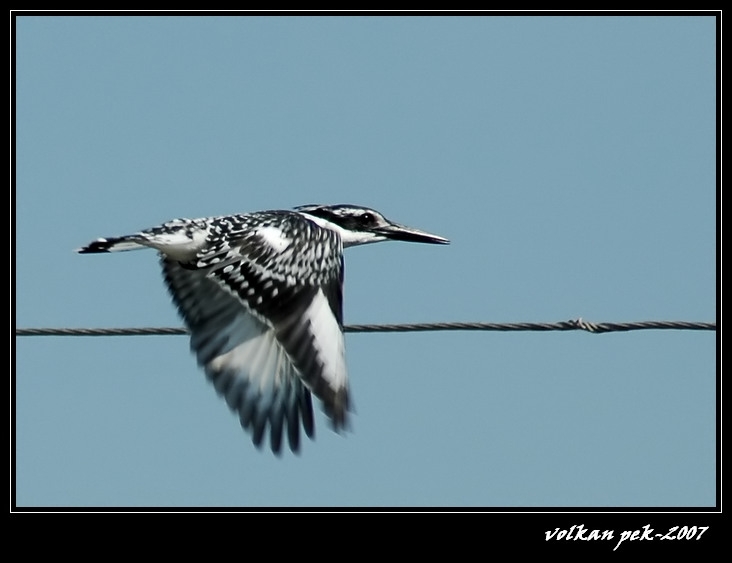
261, 294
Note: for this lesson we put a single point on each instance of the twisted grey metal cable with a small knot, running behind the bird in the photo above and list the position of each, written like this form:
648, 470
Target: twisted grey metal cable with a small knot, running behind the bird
574, 324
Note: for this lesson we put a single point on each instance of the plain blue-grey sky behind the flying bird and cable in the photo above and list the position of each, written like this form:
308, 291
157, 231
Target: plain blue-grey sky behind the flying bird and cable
570, 160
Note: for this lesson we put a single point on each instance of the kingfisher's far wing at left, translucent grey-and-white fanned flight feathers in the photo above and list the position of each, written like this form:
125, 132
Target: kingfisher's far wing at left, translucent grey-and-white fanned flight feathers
246, 364
